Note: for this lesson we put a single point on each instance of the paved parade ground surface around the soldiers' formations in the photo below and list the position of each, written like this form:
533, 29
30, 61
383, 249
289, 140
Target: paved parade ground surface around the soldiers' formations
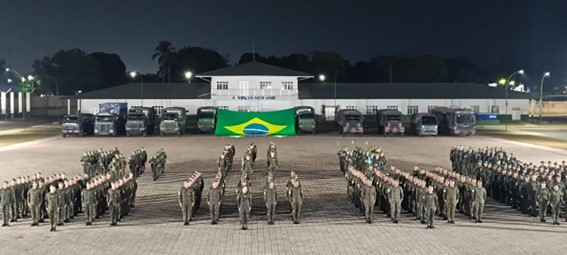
330, 224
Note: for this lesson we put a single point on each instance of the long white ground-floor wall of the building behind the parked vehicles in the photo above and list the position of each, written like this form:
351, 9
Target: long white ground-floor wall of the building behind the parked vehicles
516, 107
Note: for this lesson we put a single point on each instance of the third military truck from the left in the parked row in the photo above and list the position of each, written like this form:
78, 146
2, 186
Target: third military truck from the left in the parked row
141, 121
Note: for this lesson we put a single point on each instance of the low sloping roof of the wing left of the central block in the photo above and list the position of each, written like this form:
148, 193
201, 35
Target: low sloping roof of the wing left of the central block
151, 91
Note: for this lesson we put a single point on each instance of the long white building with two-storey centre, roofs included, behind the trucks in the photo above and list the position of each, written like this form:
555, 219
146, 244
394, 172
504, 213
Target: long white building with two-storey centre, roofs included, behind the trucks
259, 87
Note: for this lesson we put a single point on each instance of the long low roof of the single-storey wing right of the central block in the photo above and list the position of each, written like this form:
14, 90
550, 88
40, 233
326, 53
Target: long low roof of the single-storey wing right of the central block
406, 91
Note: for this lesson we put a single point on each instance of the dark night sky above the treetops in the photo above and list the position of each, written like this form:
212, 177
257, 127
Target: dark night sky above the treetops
533, 31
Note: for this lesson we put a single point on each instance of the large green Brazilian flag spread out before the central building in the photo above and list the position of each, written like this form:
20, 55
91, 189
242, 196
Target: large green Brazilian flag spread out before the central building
255, 123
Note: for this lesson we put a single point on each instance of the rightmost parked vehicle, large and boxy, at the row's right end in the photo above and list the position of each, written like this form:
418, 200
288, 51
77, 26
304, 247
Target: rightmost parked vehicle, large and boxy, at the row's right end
455, 121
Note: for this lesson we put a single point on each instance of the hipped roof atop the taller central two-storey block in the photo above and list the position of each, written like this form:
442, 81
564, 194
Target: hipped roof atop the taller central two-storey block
255, 69
